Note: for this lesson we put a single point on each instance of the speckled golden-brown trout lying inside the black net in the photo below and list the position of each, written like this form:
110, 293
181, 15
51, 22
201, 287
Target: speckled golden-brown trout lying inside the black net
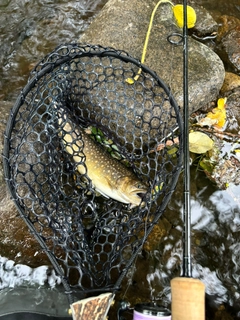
109, 176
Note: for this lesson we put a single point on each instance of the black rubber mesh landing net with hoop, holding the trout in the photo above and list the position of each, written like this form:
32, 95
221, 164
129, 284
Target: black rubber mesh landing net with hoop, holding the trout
77, 93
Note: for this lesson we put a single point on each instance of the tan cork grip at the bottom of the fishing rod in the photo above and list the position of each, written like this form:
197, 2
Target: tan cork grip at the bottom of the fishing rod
188, 299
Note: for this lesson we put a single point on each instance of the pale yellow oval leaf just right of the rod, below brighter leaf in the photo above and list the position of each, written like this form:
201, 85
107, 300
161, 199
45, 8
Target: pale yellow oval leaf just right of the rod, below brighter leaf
199, 142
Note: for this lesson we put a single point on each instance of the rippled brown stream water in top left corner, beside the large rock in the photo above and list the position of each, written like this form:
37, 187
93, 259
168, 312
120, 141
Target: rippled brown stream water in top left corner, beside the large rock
31, 29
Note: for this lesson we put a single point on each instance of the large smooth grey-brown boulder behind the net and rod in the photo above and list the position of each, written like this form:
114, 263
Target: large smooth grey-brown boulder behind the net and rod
123, 25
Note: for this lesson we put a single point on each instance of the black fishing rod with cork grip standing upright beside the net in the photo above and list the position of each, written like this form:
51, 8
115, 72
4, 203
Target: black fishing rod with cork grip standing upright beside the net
188, 294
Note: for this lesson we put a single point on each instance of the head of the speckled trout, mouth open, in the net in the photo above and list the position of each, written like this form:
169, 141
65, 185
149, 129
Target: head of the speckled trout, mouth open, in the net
132, 190
